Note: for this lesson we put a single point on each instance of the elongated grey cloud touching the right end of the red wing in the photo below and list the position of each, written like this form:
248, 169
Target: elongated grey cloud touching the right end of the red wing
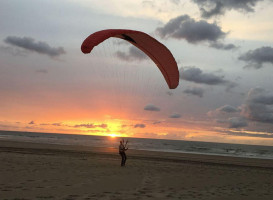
196, 75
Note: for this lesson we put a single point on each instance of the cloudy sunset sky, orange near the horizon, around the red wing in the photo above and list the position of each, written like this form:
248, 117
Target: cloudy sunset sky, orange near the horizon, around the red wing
224, 52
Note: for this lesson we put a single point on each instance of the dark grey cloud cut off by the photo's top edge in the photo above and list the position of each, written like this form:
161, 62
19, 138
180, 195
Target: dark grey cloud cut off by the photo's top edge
210, 8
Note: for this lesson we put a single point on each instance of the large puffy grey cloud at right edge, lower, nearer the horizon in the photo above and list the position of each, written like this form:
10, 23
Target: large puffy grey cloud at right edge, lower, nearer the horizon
258, 106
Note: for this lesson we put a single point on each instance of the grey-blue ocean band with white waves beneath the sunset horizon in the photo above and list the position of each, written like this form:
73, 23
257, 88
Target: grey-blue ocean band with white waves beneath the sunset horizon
179, 146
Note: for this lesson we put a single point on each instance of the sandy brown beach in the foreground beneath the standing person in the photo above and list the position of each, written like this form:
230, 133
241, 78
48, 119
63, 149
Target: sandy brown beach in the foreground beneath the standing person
52, 171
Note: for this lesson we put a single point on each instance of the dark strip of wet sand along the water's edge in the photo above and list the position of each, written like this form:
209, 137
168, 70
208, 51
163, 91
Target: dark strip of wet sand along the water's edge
44, 148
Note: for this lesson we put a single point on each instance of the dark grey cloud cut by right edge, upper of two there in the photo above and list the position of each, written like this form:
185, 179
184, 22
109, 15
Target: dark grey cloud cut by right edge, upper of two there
256, 58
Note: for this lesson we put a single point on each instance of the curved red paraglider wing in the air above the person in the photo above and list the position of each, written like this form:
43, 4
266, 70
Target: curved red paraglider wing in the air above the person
161, 56
